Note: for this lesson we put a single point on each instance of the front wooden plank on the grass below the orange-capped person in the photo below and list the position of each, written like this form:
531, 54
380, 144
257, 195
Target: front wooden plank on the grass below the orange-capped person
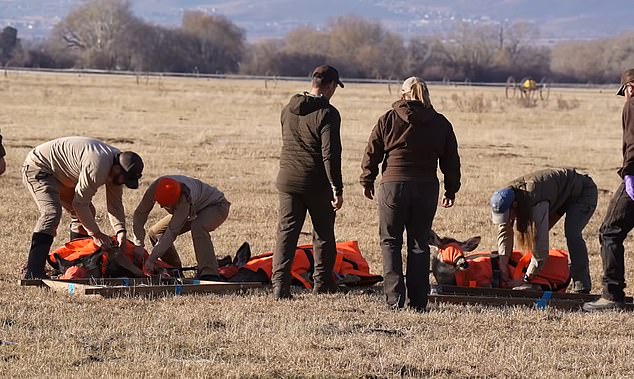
162, 290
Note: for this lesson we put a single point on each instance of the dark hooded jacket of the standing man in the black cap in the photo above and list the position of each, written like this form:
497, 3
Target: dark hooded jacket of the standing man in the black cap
311, 146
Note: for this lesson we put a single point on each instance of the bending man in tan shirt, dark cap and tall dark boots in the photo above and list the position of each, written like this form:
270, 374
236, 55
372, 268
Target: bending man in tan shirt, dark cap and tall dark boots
66, 173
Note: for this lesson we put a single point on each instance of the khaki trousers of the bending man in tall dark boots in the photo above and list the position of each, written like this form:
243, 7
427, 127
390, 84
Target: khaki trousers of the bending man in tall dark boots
51, 196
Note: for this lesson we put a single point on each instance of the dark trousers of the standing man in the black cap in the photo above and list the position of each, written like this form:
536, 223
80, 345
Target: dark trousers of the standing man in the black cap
292, 213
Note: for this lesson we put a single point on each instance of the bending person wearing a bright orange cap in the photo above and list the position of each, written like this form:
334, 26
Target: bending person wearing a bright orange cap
193, 205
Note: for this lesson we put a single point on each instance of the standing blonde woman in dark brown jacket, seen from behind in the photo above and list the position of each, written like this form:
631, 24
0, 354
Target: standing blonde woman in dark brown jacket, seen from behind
410, 140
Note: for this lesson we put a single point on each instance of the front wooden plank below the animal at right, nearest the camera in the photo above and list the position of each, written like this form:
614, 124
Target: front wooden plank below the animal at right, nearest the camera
565, 304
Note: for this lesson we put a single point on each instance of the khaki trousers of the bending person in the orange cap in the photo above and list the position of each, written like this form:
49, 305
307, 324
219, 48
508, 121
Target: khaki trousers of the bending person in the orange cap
206, 221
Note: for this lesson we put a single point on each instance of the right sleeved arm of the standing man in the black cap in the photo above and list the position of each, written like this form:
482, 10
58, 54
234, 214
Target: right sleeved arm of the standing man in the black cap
331, 150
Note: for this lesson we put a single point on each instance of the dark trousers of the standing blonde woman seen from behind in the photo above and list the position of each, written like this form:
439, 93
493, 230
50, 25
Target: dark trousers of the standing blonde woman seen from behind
406, 206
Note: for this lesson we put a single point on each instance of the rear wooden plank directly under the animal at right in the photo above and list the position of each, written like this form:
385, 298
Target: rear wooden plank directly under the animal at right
501, 292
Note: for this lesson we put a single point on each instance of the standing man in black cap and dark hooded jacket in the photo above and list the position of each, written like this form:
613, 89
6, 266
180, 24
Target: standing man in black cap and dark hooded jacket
309, 180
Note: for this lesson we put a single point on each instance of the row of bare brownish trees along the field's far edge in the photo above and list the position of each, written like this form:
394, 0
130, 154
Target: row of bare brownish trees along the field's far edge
105, 34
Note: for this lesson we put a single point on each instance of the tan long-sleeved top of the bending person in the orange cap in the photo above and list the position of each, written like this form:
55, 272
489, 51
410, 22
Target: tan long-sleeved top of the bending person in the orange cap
195, 196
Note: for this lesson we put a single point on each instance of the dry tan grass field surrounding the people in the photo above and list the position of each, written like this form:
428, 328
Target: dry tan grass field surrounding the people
227, 133
